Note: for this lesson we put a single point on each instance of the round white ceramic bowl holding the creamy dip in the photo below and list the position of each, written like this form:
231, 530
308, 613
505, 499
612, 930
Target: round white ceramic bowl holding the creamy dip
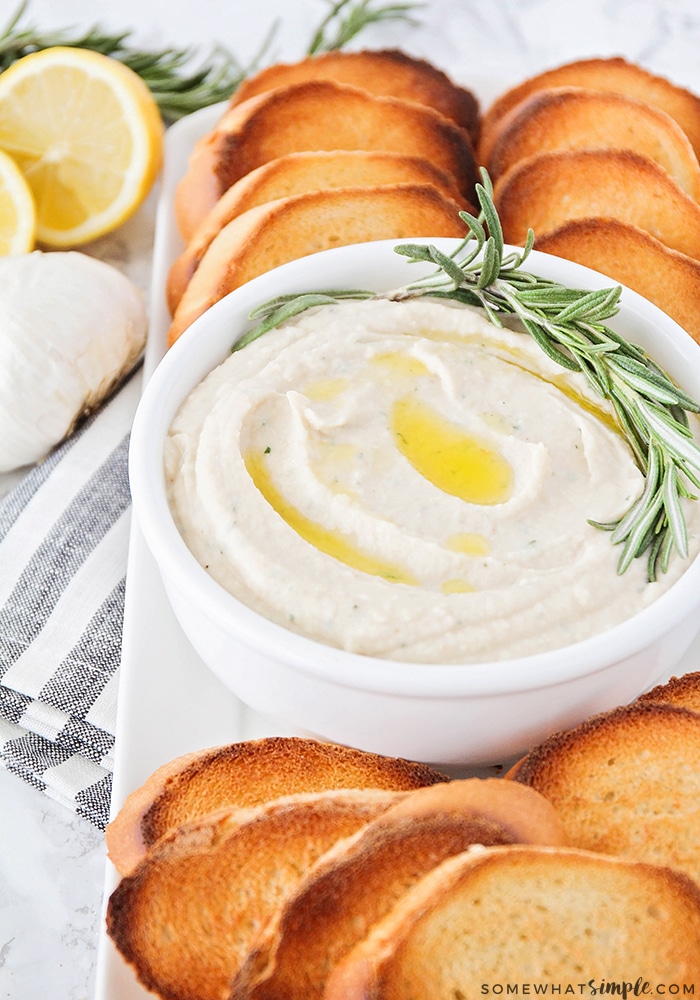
451, 714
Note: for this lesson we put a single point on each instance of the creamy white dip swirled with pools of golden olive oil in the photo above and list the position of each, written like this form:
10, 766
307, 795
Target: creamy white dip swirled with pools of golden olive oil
406, 480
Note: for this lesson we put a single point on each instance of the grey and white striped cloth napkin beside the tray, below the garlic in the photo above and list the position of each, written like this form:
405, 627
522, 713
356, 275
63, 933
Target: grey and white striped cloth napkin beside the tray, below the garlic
63, 549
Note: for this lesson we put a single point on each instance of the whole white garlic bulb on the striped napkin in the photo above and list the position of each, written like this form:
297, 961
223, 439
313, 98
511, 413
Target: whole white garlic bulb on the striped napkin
71, 326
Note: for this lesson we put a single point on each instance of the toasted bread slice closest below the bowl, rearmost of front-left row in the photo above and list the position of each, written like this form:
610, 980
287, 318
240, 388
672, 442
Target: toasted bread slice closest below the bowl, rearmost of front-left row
243, 775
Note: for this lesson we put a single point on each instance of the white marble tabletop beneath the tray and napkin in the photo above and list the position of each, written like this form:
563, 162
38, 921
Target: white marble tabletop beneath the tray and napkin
52, 863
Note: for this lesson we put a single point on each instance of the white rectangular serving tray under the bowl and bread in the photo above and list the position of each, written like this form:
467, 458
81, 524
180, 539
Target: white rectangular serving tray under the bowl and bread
169, 702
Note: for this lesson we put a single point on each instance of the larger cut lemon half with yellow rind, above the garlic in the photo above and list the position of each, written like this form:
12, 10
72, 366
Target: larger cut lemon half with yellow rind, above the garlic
87, 135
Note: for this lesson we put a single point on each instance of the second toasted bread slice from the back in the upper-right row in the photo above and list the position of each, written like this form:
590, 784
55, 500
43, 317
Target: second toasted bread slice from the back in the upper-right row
574, 118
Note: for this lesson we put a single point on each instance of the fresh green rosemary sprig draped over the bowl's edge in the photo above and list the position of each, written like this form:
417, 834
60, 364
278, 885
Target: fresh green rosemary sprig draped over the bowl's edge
569, 326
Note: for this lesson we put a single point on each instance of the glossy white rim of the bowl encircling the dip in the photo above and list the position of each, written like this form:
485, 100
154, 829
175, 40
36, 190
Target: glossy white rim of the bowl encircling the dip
188, 360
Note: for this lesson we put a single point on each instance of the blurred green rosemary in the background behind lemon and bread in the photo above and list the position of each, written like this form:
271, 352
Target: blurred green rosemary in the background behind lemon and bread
178, 83
